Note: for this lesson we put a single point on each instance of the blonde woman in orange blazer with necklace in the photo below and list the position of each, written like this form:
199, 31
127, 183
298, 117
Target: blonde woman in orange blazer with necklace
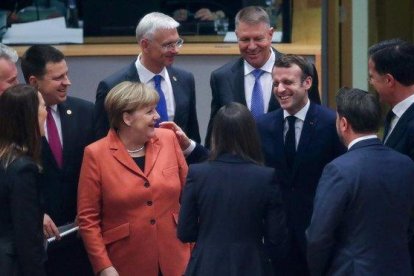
129, 190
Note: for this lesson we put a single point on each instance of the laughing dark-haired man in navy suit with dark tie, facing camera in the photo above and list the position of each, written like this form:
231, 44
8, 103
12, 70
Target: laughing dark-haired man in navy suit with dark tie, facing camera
298, 155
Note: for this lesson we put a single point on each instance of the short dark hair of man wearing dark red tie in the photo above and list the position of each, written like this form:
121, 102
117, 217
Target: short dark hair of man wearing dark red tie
36, 58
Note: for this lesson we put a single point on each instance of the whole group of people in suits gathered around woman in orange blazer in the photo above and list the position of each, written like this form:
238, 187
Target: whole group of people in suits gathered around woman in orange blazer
282, 186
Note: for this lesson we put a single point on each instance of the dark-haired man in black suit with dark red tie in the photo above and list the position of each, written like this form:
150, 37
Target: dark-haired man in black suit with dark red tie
68, 131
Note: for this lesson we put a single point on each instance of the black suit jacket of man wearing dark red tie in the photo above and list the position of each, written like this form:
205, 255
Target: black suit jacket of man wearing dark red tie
59, 185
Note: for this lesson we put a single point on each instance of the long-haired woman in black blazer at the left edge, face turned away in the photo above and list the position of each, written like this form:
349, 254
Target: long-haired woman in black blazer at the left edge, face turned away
22, 117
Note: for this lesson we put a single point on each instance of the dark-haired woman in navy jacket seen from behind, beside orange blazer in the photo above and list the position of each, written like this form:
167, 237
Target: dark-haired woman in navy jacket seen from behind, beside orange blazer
231, 206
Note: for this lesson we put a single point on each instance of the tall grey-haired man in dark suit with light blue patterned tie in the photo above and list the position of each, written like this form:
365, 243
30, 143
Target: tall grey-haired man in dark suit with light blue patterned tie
236, 80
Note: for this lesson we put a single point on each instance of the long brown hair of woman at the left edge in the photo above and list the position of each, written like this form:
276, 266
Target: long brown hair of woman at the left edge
19, 124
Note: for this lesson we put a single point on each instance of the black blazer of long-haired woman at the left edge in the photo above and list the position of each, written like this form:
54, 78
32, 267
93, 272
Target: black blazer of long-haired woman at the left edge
21, 220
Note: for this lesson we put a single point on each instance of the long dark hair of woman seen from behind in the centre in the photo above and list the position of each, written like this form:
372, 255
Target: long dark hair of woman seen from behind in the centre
235, 132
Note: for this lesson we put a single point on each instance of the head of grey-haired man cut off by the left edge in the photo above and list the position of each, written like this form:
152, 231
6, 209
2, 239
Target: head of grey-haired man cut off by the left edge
8, 70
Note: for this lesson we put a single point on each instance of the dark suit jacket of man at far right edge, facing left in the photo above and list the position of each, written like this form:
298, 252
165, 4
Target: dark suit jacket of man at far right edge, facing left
402, 137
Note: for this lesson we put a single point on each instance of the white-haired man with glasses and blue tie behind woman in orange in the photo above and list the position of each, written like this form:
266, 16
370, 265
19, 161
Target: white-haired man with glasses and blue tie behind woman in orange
158, 39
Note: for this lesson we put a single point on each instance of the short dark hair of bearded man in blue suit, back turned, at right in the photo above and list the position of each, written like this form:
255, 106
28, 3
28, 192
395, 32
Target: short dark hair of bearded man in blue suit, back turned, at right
361, 109
